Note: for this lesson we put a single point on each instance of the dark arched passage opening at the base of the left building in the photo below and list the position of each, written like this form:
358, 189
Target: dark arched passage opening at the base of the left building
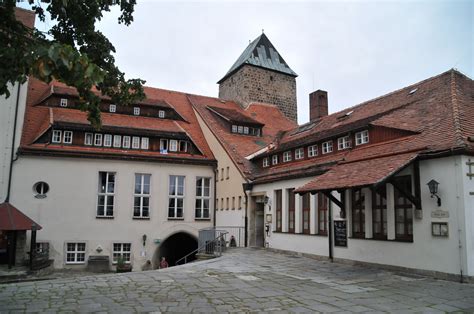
175, 247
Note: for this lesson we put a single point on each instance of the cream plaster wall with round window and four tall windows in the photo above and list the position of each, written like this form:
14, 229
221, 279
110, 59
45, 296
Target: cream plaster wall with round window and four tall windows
68, 213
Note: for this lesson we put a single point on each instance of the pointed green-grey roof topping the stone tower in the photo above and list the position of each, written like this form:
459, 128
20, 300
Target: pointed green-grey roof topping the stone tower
261, 53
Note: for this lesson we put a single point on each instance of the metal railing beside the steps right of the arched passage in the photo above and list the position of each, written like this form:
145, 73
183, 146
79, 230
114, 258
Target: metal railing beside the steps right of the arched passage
211, 241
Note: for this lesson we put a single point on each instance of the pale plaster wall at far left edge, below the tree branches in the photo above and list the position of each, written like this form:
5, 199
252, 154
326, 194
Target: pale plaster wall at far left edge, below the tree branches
7, 121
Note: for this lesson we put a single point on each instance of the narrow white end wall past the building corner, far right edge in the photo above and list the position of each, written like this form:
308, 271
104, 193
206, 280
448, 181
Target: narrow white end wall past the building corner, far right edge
468, 198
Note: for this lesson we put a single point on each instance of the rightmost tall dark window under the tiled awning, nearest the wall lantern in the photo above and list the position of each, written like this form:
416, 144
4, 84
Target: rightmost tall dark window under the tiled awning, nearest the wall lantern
403, 210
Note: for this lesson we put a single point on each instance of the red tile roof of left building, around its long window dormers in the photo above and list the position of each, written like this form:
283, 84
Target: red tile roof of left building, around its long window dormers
39, 118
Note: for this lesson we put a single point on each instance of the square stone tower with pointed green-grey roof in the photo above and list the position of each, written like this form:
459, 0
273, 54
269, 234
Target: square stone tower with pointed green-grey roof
261, 75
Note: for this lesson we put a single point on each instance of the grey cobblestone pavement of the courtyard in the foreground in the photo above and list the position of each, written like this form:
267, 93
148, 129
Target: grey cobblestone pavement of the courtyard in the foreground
243, 280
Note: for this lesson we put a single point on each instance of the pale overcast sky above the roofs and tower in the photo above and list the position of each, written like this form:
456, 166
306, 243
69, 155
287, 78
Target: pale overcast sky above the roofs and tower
354, 50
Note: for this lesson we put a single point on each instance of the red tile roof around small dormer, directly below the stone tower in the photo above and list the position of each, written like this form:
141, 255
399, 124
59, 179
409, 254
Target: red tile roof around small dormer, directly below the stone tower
239, 146
